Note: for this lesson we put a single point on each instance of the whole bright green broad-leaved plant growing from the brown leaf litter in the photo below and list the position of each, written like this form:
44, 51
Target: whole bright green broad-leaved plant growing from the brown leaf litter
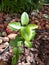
26, 34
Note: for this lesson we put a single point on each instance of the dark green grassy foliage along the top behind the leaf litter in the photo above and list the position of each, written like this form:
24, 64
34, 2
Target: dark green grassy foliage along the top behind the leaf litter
19, 6
